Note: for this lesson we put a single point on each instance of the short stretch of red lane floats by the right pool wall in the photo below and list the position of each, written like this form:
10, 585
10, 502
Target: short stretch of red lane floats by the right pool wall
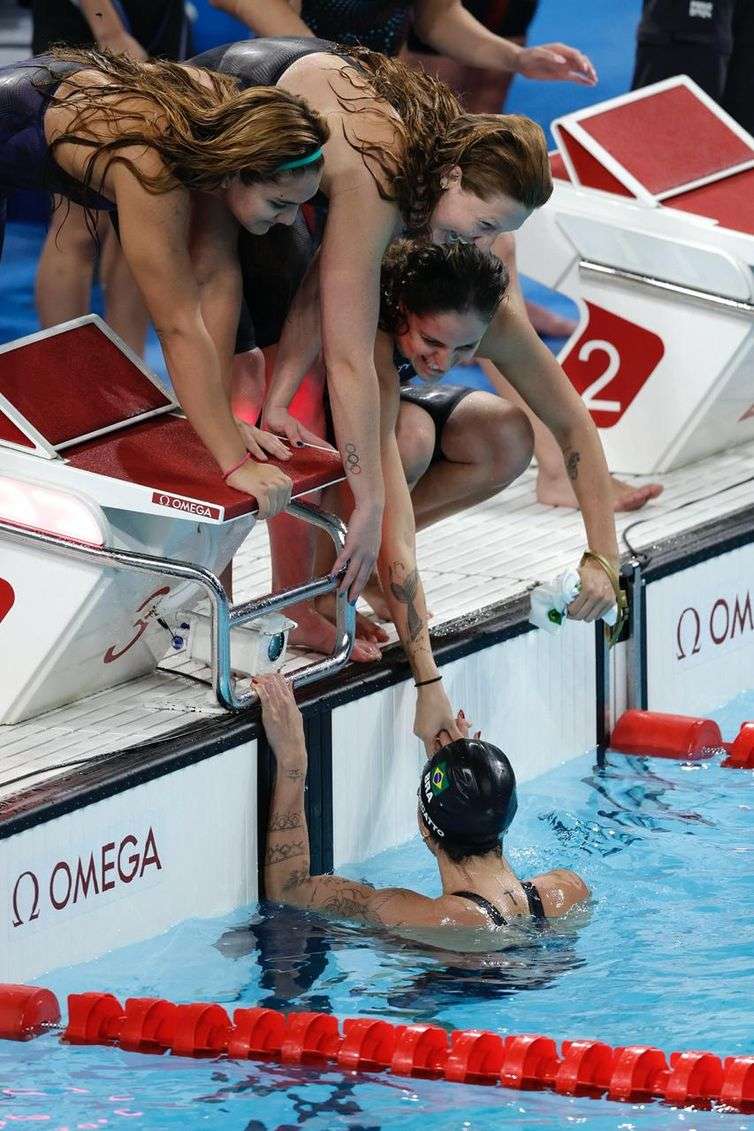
658, 736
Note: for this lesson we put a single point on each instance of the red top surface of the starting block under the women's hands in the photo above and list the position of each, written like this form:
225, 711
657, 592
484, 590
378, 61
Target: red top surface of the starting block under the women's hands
97, 408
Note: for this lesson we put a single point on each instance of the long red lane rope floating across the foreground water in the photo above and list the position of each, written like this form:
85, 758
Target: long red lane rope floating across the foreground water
526, 1061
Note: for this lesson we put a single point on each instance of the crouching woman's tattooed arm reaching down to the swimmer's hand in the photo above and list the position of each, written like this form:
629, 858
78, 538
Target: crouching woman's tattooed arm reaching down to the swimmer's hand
397, 565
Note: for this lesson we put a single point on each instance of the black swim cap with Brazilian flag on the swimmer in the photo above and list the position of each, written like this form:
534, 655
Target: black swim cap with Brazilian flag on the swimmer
467, 793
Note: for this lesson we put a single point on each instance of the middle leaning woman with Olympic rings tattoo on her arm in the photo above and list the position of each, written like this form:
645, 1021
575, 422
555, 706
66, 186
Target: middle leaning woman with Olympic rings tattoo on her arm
404, 156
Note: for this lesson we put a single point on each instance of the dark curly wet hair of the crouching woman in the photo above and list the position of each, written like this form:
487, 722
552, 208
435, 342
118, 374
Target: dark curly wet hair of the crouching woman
428, 279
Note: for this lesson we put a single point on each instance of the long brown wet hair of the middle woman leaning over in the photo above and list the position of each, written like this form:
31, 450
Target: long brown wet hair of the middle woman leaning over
497, 153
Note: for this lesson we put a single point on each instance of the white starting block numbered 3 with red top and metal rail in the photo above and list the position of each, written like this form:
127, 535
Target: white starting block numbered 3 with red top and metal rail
115, 524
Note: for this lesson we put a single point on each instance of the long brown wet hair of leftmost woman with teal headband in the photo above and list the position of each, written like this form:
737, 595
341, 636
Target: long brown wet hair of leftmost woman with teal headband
203, 134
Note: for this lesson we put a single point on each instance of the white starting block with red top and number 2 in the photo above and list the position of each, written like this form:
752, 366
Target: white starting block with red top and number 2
651, 230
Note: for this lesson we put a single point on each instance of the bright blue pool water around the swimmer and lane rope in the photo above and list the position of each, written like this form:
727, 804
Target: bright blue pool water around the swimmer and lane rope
664, 957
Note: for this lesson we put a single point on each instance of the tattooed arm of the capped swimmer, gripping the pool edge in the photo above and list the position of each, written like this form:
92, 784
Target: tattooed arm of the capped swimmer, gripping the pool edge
288, 877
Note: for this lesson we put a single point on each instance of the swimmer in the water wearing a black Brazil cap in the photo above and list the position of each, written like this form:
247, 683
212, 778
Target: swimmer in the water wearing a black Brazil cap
466, 805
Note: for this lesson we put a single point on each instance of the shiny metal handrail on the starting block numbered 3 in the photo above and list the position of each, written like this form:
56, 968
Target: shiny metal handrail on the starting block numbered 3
227, 617
